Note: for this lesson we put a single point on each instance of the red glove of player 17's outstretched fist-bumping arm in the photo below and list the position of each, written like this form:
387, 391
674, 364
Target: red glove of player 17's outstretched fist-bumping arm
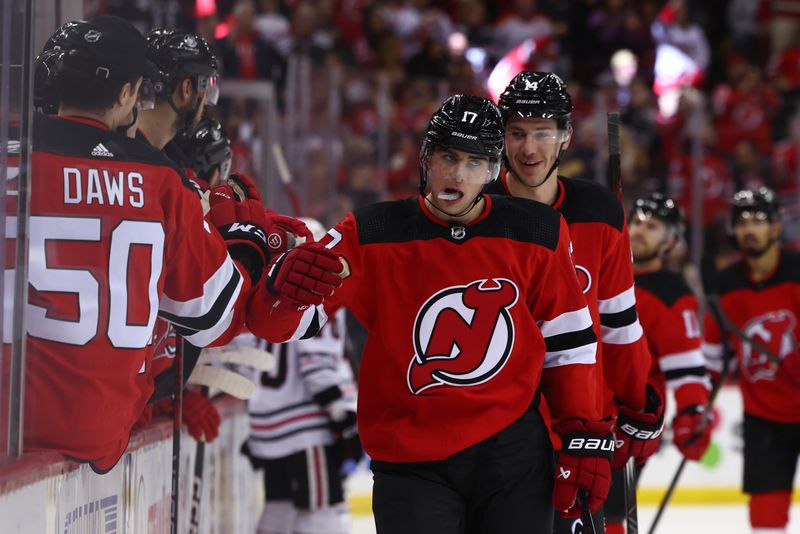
304, 276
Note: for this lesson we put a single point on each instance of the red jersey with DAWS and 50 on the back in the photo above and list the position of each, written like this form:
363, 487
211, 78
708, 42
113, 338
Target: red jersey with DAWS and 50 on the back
117, 238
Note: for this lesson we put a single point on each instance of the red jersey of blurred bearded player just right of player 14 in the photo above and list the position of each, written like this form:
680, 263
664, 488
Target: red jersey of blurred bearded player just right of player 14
668, 313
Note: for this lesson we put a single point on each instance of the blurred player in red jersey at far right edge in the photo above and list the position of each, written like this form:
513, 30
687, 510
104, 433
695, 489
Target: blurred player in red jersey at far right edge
760, 294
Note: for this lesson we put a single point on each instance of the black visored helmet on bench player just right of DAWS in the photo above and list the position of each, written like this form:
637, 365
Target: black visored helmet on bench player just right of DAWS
180, 55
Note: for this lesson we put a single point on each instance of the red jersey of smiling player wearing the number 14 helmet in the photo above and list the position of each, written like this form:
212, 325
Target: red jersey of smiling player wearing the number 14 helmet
602, 256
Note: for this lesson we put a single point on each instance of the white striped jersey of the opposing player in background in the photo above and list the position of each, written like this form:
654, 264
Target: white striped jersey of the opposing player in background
284, 418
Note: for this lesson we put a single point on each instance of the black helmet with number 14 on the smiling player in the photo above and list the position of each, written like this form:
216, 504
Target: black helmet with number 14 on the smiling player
537, 95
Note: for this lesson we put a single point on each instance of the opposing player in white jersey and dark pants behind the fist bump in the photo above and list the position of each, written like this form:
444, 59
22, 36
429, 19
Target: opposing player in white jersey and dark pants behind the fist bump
303, 428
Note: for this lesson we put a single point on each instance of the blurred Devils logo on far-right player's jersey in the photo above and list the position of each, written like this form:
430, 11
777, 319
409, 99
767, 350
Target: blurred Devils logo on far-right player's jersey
774, 330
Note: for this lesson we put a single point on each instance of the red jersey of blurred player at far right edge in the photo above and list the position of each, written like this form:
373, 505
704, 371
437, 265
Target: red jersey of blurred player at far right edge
768, 312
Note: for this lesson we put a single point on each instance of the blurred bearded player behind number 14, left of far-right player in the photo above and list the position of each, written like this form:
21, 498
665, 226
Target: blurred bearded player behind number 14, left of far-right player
668, 313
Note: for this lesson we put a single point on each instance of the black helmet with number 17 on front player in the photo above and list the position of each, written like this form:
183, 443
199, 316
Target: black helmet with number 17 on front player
464, 122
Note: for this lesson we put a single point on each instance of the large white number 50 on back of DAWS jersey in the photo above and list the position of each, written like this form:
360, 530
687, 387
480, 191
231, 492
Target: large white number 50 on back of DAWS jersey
53, 233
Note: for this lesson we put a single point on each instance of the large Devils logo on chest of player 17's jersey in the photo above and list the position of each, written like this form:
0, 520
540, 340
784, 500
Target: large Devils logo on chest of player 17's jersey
463, 335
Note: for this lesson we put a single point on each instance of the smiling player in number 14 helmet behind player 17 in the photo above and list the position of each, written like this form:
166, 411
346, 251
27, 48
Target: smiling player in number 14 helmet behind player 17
537, 111
